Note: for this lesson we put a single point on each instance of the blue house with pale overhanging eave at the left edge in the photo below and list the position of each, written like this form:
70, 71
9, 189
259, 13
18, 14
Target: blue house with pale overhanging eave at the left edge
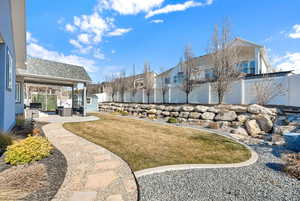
12, 57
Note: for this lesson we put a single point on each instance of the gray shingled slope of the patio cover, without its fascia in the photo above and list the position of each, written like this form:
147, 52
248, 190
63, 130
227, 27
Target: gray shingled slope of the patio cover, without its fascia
53, 69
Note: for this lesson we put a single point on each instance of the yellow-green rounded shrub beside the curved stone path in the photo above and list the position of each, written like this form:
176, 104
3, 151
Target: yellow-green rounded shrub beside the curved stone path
33, 148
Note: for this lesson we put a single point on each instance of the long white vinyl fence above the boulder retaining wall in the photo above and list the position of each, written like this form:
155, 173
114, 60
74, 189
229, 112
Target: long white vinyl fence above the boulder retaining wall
241, 92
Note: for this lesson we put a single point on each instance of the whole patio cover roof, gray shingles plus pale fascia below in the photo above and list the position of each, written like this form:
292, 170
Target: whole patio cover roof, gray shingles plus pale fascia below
45, 71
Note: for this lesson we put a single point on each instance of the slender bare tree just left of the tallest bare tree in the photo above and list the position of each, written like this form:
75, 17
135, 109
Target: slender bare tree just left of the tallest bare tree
187, 66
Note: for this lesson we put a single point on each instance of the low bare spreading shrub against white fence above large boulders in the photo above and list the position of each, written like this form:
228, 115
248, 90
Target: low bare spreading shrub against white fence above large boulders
267, 88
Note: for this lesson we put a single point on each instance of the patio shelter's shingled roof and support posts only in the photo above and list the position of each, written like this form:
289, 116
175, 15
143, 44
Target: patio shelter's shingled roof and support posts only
51, 73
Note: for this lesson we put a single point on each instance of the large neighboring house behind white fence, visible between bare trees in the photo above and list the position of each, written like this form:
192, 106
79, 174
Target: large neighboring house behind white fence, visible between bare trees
253, 60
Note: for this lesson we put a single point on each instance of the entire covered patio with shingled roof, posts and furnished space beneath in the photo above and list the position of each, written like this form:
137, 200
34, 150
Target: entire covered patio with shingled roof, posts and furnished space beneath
43, 81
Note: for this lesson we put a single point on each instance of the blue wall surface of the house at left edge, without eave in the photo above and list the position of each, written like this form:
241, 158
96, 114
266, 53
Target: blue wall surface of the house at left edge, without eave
7, 97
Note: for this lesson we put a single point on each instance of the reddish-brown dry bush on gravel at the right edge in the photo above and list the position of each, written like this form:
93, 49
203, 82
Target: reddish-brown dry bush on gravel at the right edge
292, 165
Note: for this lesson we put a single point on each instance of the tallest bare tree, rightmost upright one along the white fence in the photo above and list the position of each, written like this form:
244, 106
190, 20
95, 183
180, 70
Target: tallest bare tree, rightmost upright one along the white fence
224, 59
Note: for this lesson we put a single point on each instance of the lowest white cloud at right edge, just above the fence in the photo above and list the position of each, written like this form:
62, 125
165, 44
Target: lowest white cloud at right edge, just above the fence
291, 61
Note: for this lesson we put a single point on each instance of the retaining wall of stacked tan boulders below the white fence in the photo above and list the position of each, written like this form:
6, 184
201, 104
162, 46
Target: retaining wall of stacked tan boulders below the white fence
251, 120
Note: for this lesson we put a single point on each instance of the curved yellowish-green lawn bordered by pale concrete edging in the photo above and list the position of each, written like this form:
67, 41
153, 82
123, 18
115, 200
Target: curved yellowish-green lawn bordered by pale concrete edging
146, 145
